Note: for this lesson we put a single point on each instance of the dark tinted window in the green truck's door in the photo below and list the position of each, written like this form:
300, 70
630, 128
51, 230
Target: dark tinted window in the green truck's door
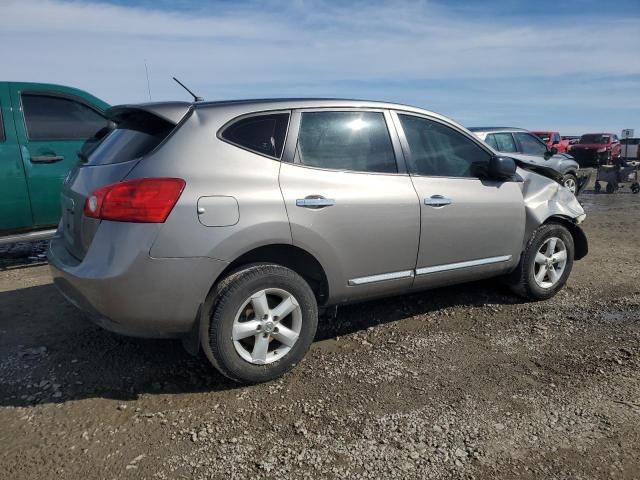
56, 118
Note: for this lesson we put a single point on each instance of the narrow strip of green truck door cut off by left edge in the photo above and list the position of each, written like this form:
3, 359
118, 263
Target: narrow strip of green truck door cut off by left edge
15, 210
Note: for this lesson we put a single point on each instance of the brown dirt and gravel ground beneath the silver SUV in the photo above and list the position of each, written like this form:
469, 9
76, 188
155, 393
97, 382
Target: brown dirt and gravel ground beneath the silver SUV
465, 382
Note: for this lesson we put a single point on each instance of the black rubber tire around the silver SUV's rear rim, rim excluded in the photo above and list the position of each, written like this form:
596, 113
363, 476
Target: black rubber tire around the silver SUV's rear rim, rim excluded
230, 295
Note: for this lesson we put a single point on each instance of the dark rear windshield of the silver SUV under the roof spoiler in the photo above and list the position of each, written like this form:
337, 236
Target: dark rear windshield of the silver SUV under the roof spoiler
135, 136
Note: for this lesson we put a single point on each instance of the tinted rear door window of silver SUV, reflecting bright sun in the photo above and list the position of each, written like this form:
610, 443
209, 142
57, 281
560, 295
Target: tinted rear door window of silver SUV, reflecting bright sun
357, 141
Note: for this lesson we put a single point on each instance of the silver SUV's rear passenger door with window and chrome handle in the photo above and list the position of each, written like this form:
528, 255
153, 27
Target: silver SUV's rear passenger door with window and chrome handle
349, 203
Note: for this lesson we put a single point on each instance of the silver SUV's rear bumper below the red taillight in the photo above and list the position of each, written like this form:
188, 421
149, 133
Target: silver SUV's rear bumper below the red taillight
125, 290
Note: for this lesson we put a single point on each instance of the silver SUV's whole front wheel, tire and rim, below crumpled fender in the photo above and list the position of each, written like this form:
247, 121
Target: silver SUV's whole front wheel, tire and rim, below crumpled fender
545, 263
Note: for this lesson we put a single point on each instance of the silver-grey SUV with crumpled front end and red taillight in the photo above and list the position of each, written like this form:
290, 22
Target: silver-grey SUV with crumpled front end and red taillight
231, 224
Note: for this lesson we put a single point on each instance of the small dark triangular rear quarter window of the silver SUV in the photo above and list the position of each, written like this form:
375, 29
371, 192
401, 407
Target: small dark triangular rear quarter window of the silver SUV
260, 133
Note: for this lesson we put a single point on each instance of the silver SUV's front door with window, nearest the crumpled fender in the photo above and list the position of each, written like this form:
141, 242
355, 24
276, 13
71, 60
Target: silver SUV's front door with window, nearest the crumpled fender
471, 227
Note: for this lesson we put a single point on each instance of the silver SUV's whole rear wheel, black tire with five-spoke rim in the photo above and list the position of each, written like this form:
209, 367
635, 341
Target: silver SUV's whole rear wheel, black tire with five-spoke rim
262, 322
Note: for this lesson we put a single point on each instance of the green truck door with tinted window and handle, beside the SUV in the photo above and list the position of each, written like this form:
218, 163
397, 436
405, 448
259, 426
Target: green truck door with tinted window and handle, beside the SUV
51, 128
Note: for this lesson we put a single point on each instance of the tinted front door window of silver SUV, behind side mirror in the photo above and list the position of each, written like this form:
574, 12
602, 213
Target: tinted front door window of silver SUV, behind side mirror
438, 150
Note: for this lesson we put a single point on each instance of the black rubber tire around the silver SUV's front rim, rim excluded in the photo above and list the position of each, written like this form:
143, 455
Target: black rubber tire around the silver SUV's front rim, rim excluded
522, 281
